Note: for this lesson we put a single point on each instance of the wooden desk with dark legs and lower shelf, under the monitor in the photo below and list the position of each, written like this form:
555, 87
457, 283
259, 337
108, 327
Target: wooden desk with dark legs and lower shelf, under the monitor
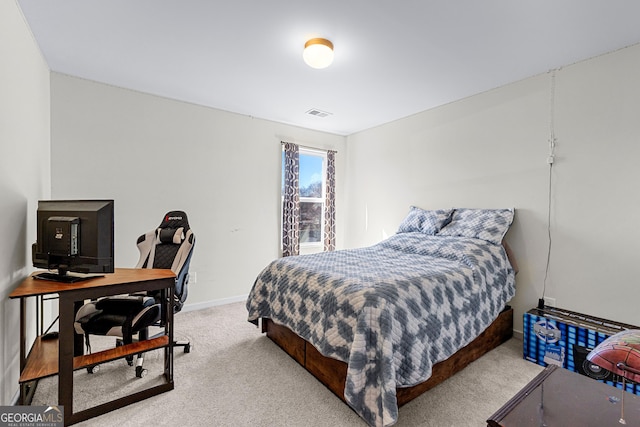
62, 356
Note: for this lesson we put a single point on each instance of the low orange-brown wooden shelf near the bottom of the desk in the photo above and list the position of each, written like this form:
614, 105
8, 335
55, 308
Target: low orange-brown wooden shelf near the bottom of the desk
43, 359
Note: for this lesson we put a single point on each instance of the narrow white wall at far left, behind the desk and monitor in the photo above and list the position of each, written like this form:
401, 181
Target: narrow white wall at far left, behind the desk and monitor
24, 173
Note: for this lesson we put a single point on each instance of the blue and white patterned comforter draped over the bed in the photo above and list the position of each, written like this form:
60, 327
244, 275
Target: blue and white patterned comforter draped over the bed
390, 311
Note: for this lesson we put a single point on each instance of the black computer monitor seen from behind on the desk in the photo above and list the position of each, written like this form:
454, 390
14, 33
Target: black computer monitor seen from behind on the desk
74, 236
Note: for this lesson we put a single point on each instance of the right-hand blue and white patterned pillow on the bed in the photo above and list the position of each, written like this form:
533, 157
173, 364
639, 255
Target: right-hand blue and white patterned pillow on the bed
486, 224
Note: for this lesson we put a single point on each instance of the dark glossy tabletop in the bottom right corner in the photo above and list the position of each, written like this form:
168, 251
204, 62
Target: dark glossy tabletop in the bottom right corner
560, 398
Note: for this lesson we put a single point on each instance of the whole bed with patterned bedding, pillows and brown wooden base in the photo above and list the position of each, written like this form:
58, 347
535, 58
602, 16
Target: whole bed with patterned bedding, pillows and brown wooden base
382, 324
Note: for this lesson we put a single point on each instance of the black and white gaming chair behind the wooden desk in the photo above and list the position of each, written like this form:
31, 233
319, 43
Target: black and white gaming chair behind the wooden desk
169, 246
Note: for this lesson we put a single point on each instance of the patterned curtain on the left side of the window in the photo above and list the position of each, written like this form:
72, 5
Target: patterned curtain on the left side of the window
291, 205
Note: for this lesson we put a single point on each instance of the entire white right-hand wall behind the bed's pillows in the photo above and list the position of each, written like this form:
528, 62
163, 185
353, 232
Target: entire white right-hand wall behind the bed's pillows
490, 151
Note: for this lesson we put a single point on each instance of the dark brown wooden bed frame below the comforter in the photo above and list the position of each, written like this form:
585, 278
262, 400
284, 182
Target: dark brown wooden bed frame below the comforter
332, 373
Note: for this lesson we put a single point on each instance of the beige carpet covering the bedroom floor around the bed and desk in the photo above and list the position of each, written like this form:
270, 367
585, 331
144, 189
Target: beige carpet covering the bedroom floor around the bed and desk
234, 376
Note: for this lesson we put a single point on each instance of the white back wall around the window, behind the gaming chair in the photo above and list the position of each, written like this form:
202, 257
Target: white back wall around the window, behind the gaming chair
153, 154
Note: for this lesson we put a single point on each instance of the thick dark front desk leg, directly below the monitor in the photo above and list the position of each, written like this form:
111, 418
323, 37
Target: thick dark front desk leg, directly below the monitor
65, 356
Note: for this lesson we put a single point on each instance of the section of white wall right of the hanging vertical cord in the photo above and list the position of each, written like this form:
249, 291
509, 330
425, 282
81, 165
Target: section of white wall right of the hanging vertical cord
596, 257
